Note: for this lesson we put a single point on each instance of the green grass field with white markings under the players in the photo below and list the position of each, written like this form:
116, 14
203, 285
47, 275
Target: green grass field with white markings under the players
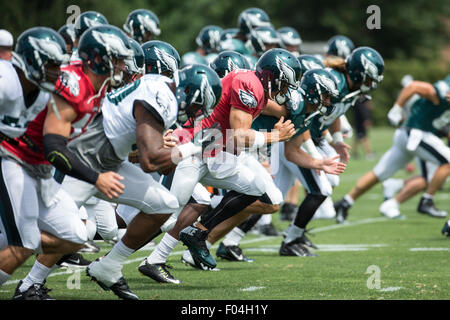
411, 256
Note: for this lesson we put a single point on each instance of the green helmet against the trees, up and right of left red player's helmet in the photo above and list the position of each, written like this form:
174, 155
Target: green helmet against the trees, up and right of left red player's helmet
141, 21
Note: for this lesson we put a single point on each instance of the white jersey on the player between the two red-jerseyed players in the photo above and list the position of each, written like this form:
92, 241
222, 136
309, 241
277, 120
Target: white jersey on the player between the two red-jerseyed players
117, 109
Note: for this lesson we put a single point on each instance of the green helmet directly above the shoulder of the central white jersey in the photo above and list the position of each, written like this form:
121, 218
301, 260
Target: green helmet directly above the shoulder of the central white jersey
161, 58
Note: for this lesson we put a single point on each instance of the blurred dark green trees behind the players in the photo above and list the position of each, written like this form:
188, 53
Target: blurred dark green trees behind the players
414, 37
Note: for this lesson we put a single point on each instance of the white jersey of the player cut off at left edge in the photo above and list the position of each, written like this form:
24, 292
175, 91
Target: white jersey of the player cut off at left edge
14, 115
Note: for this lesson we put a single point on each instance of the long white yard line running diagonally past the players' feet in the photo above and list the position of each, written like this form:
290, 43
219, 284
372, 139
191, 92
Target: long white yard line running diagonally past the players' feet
259, 239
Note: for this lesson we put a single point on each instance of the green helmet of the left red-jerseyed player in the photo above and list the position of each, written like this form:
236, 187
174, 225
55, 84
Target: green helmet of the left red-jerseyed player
98, 48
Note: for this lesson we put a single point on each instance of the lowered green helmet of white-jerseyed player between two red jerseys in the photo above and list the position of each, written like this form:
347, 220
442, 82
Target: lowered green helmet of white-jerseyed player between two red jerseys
199, 90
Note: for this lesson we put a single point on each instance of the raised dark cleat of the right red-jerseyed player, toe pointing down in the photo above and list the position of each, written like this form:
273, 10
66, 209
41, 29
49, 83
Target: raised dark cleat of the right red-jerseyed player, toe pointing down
195, 239
